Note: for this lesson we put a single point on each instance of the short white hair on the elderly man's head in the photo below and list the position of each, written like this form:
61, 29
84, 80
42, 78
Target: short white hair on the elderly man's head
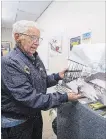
22, 26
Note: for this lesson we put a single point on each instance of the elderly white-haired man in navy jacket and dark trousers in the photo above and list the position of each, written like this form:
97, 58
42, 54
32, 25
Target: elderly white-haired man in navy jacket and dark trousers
24, 86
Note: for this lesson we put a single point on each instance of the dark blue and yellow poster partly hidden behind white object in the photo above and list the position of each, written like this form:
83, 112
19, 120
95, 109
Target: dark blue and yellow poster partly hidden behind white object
75, 41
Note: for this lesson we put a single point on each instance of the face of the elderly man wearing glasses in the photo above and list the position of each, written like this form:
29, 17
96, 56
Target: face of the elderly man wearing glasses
29, 40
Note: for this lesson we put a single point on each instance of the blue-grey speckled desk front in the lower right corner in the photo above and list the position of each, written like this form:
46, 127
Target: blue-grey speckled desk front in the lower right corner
78, 121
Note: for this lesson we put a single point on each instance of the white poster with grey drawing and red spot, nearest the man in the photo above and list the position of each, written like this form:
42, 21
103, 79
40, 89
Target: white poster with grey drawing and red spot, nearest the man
55, 45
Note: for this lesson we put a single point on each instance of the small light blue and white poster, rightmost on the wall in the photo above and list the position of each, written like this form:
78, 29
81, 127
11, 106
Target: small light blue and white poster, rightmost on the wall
86, 38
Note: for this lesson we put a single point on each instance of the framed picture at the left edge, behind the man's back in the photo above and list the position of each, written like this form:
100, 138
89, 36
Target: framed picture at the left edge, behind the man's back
5, 47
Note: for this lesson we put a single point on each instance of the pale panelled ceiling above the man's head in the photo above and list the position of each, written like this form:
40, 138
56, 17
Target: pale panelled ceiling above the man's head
26, 10
